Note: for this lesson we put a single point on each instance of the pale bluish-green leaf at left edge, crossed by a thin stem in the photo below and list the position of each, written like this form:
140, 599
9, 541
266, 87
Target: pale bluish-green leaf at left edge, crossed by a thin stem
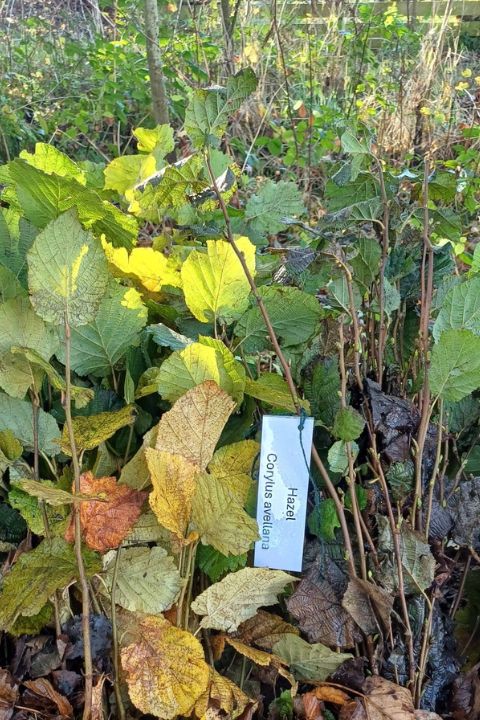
16, 416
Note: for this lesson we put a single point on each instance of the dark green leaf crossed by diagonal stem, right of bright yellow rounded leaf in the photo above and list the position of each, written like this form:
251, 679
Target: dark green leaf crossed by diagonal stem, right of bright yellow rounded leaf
293, 314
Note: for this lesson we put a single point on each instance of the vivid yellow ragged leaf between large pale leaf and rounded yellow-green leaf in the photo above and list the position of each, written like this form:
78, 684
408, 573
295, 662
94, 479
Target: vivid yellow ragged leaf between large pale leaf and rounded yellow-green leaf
150, 267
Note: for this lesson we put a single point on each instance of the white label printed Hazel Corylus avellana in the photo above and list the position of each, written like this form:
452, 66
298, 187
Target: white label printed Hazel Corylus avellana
283, 491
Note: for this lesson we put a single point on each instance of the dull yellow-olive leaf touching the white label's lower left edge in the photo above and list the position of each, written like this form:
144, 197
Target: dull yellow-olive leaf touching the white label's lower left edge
220, 519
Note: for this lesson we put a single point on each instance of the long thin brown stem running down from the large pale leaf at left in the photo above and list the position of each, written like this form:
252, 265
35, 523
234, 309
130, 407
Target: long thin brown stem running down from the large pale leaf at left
87, 649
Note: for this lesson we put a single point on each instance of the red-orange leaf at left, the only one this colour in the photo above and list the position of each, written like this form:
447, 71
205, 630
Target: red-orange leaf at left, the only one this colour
105, 524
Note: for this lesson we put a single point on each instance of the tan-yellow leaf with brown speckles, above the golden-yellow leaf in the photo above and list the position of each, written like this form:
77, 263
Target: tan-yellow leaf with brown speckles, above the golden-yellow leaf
193, 426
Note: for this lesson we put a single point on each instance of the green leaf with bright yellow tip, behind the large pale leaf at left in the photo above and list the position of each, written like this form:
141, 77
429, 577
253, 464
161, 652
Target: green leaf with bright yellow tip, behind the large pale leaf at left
98, 346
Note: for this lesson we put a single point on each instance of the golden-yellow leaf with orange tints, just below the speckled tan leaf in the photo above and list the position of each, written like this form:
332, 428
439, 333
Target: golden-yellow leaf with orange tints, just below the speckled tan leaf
173, 479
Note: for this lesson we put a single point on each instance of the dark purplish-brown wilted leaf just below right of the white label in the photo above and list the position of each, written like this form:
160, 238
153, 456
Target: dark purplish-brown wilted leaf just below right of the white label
319, 612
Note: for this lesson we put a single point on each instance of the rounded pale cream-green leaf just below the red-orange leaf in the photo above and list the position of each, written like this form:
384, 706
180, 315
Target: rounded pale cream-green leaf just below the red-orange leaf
147, 581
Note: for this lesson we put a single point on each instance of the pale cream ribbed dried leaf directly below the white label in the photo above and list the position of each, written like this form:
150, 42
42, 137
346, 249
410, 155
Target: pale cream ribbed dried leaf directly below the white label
238, 596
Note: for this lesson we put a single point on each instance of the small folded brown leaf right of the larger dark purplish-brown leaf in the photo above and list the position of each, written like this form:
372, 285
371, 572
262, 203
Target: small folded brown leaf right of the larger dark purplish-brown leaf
368, 604
